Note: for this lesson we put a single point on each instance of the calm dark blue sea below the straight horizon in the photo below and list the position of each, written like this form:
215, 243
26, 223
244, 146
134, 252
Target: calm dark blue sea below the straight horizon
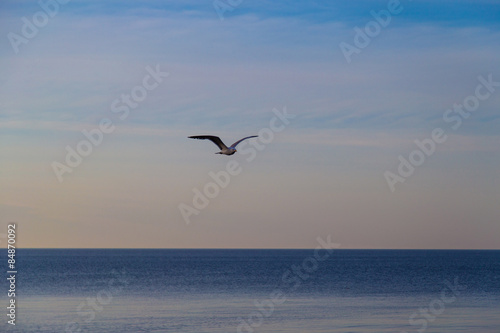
254, 291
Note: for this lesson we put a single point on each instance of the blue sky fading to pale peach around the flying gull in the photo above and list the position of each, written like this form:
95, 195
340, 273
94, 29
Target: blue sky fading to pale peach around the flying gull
378, 123
